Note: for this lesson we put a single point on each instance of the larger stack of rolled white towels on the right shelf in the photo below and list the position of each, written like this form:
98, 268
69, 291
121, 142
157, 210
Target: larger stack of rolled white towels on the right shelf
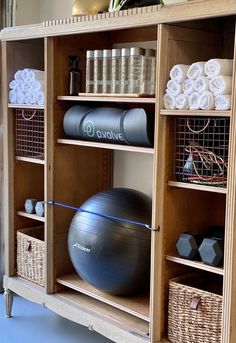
201, 85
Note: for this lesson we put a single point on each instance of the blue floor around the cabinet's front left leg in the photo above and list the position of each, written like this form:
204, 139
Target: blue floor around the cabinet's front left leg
32, 323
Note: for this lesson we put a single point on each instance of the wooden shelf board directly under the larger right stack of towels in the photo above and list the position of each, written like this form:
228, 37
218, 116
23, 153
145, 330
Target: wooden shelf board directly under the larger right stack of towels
196, 113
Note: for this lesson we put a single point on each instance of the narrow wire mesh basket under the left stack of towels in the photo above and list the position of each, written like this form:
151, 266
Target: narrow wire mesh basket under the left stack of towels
30, 133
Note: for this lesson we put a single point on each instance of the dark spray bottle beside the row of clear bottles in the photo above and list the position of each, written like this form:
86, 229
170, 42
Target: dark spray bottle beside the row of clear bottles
75, 76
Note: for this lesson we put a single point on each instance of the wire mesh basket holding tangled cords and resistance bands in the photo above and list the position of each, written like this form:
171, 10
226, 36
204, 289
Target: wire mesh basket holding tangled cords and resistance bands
201, 150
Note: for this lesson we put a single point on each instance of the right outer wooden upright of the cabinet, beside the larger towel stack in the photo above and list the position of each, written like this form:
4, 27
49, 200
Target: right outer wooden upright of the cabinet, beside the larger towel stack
229, 291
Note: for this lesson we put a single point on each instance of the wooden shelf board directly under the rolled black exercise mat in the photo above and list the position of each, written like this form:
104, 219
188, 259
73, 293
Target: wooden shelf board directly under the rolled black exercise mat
107, 146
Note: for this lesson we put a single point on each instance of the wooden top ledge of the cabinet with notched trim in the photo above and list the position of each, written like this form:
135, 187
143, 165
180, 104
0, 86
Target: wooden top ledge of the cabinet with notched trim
136, 17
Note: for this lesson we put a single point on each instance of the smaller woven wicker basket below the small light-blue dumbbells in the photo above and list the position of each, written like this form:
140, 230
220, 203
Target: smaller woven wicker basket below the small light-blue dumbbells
31, 254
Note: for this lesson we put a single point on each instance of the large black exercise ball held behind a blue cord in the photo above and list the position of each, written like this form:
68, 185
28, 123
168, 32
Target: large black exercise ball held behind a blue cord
112, 255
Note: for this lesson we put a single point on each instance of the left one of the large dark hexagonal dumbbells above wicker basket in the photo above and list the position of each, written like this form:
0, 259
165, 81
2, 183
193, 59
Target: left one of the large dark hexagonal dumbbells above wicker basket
187, 245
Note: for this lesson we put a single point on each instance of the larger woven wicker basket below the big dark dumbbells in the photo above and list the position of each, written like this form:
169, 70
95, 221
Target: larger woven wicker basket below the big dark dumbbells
194, 314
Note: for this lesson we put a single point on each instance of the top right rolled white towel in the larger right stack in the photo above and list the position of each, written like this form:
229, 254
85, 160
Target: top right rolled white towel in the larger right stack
217, 66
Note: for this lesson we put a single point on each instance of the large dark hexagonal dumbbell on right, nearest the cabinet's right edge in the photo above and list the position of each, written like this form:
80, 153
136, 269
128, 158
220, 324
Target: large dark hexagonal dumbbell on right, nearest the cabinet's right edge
212, 251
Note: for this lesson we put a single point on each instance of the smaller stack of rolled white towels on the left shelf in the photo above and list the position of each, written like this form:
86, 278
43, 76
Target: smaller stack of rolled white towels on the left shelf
27, 87
